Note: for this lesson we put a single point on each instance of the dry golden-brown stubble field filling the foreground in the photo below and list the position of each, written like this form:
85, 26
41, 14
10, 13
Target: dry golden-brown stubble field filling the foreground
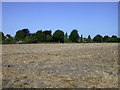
60, 65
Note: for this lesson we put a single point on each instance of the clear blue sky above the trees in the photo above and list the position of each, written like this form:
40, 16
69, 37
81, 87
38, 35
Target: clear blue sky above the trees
89, 18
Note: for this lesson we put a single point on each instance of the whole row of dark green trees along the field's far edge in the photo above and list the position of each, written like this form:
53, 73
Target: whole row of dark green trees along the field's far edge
25, 37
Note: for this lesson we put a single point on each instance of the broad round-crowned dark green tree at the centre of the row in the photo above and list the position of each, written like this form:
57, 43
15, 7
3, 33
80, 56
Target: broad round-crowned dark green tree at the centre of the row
58, 36
